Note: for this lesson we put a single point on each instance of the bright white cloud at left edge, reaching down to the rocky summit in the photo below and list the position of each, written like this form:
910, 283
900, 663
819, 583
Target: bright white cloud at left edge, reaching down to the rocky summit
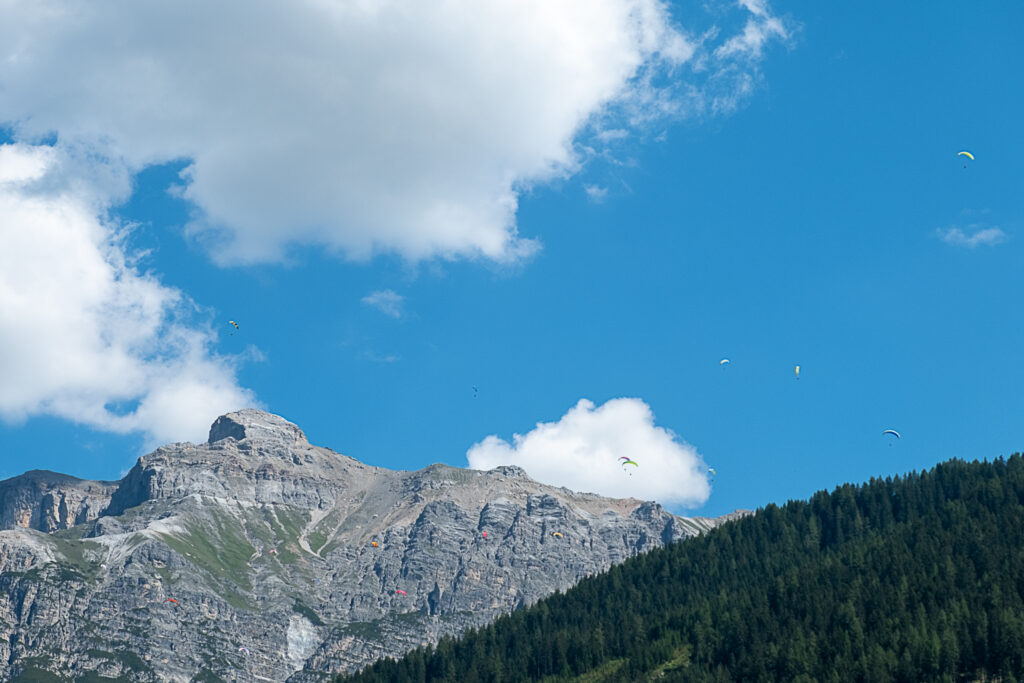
84, 334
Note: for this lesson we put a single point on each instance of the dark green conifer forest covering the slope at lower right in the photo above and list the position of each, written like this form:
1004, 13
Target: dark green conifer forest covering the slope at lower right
913, 579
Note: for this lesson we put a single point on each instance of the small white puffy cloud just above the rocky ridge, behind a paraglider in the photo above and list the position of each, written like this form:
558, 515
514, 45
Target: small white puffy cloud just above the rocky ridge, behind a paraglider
582, 451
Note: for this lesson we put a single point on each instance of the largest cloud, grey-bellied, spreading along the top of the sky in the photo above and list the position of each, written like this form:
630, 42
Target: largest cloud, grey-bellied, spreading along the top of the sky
398, 125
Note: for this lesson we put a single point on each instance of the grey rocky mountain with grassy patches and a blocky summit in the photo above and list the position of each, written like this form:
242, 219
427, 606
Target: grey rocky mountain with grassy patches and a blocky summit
259, 557
